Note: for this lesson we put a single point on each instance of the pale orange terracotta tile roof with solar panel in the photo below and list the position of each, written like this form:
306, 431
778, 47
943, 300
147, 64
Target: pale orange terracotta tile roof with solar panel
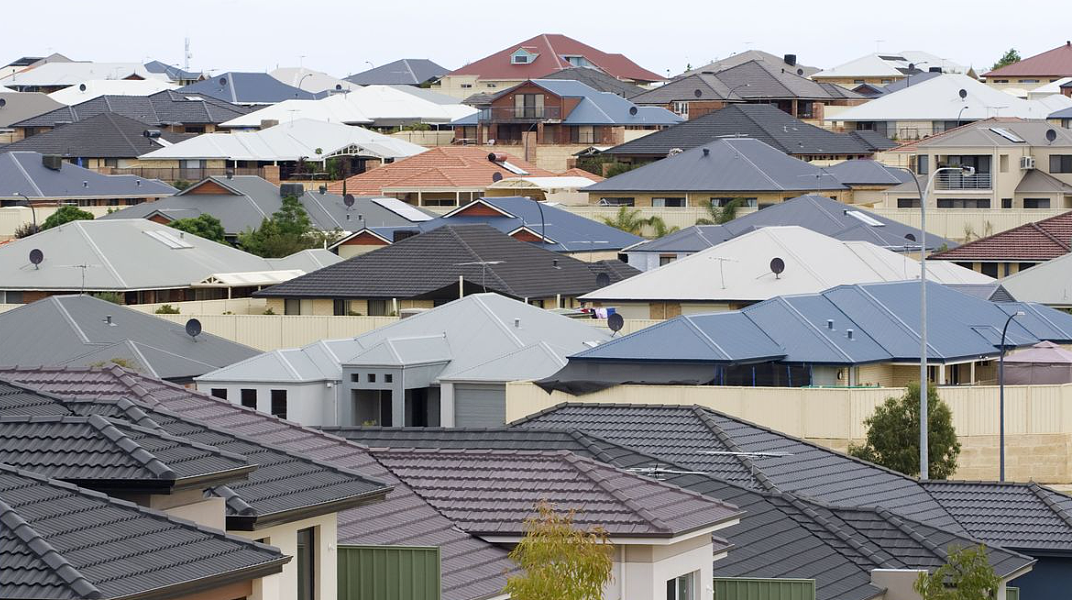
452, 167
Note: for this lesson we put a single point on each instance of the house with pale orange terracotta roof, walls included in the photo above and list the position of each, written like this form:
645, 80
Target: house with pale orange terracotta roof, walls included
449, 176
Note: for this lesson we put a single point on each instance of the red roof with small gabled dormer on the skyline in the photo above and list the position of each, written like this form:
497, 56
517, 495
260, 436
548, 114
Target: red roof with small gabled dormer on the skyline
550, 50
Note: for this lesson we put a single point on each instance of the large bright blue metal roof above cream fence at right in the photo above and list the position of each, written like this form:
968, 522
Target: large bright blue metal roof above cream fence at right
884, 319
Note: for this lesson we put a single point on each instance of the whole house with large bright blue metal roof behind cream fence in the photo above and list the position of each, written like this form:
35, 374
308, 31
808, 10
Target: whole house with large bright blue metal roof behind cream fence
862, 335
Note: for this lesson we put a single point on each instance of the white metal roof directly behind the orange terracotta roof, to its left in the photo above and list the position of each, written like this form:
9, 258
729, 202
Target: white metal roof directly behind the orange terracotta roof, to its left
290, 142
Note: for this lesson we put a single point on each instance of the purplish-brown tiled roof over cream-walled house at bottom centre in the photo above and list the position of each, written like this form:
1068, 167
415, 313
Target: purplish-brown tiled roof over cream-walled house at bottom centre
493, 492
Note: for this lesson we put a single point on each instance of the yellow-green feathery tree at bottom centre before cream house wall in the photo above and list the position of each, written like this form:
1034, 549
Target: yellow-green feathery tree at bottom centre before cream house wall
560, 562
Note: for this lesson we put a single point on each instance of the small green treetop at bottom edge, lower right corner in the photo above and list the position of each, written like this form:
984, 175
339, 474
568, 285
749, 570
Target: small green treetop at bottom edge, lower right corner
966, 576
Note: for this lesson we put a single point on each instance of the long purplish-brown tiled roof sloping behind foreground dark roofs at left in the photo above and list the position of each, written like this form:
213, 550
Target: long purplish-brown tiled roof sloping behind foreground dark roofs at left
472, 568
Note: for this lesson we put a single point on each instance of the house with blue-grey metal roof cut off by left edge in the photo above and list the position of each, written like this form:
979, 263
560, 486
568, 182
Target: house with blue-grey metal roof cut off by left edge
47, 179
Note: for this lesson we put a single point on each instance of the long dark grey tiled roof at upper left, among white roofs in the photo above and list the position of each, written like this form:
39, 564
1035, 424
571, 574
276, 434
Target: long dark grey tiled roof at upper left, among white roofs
162, 109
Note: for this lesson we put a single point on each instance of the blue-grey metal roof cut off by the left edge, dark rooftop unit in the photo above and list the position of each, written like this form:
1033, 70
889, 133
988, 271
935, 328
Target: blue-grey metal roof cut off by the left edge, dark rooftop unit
25, 173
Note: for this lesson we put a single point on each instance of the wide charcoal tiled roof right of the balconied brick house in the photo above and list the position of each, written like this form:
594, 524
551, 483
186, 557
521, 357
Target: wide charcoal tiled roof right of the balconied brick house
765, 123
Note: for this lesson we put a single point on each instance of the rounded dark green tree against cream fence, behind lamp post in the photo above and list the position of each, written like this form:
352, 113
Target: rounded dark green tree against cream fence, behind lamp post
894, 436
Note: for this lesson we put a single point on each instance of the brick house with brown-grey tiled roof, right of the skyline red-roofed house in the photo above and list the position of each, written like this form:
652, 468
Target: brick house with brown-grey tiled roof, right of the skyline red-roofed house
756, 82
